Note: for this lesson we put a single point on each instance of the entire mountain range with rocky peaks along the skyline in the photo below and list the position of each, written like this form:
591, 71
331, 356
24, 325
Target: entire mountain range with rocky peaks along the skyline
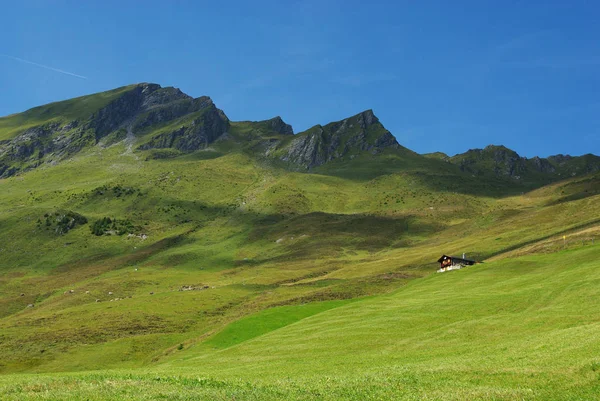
165, 122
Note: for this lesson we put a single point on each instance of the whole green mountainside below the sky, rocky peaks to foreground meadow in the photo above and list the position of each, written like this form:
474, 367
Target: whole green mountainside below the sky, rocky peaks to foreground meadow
142, 229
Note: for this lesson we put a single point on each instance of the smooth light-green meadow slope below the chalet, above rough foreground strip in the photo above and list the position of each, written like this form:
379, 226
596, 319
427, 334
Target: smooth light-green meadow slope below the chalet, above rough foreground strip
515, 328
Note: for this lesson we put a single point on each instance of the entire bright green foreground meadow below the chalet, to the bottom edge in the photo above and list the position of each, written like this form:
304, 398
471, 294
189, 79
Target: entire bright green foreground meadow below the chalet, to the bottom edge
515, 329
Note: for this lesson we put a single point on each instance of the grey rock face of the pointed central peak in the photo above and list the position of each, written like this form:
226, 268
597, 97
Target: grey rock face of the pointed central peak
348, 137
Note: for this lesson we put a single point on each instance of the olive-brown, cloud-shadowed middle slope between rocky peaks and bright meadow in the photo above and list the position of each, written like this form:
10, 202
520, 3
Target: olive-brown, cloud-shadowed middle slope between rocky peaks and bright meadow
261, 237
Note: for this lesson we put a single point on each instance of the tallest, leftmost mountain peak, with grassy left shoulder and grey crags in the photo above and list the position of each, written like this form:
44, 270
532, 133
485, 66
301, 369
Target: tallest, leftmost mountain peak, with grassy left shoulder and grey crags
57, 131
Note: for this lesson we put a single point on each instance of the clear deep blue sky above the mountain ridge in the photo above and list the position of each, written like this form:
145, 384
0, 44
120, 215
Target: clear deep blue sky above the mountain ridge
440, 75
